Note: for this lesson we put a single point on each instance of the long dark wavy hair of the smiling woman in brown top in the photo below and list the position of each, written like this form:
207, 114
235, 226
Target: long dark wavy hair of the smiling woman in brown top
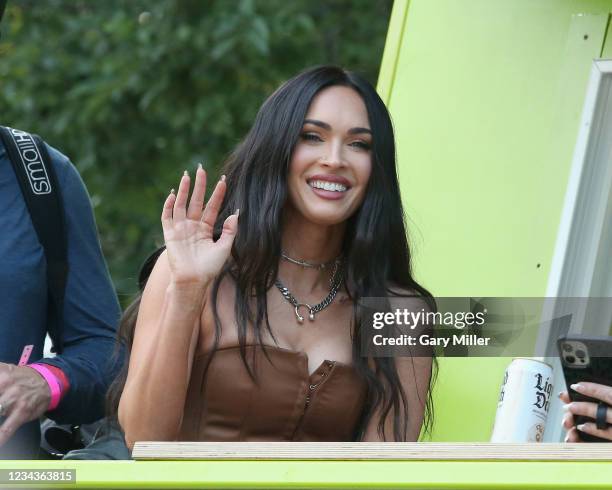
256, 173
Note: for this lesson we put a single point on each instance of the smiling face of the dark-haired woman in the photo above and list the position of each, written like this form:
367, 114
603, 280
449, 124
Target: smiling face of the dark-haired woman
332, 161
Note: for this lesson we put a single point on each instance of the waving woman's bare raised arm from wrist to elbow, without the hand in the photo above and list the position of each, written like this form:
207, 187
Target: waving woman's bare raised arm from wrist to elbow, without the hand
153, 399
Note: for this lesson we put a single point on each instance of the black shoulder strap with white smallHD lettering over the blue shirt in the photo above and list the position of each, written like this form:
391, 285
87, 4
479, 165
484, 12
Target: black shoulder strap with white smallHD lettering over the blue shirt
32, 165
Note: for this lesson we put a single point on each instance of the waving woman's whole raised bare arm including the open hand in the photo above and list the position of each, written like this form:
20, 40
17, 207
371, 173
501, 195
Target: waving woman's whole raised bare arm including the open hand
152, 402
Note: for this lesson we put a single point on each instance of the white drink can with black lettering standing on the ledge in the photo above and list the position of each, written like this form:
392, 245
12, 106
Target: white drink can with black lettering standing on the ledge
523, 403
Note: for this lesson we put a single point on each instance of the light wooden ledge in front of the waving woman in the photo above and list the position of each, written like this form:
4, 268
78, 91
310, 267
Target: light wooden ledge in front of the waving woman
407, 451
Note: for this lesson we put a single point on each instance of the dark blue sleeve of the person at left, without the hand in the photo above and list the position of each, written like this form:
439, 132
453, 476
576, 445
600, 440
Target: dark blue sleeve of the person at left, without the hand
91, 310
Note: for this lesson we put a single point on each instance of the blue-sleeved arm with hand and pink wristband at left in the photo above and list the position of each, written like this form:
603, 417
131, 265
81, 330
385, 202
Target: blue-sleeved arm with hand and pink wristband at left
79, 377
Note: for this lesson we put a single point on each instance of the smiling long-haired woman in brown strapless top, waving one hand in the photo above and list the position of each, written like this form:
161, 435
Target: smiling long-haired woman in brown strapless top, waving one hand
250, 326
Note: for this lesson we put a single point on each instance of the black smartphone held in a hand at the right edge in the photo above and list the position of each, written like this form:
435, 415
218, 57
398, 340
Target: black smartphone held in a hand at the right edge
585, 358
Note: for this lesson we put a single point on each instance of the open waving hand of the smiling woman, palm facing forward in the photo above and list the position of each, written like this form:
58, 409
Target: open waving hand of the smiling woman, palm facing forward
194, 257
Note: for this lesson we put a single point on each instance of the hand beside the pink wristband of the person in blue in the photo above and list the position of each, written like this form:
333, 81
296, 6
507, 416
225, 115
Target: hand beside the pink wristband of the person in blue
24, 396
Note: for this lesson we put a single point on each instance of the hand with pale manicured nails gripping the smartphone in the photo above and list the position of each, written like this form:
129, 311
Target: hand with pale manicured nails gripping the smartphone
589, 409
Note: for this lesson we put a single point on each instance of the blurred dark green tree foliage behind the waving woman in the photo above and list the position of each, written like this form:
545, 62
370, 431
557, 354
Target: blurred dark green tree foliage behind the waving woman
137, 91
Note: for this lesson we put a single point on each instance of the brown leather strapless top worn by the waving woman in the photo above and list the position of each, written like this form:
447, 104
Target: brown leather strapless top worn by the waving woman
285, 403
